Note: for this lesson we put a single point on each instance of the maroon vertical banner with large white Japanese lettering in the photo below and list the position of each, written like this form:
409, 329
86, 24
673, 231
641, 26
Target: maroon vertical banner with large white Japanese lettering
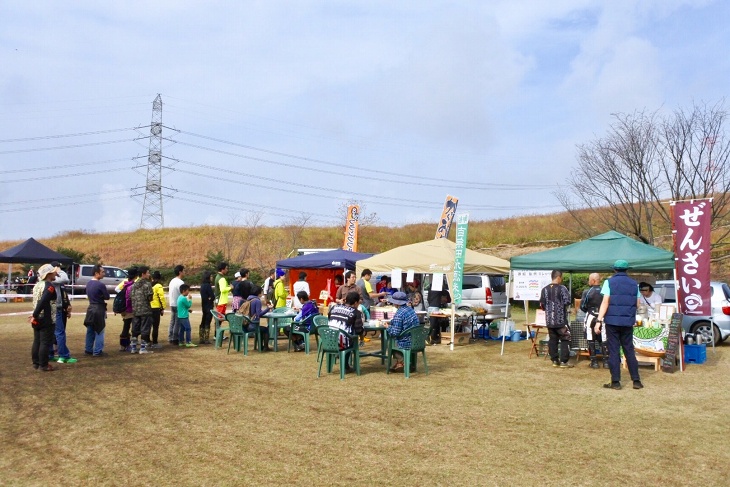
691, 234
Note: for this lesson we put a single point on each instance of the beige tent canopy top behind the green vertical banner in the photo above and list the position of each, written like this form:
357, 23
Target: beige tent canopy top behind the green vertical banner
432, 256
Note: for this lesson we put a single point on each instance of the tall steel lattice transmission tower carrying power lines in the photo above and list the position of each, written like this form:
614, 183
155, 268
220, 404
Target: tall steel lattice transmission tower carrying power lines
152, 207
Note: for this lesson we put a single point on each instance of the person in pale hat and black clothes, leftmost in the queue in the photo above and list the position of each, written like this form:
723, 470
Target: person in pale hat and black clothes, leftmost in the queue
42, 319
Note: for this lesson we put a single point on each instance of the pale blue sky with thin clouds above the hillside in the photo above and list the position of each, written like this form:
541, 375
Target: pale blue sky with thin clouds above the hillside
280, 112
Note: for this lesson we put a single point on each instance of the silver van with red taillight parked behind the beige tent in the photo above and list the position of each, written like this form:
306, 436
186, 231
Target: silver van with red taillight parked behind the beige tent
487, 291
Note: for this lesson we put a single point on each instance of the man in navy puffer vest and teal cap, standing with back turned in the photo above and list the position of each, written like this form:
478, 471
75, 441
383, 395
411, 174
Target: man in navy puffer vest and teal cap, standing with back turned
618, 314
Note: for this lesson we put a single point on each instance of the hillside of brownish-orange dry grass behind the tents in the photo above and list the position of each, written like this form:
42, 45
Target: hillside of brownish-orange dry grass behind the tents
260, 247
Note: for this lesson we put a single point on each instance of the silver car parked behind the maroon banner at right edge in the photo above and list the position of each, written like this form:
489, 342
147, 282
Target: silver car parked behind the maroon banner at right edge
720, 303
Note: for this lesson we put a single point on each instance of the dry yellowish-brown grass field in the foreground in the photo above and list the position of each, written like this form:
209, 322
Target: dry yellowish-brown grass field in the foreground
204, 417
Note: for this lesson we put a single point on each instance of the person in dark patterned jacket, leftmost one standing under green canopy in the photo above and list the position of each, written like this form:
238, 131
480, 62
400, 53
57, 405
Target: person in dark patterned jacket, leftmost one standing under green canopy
555, 300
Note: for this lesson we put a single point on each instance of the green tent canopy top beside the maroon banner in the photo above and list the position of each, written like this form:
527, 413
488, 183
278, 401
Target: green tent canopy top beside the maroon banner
598, 254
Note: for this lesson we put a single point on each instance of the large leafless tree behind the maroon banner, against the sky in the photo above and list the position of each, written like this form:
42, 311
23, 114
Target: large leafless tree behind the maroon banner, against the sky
625, 179
